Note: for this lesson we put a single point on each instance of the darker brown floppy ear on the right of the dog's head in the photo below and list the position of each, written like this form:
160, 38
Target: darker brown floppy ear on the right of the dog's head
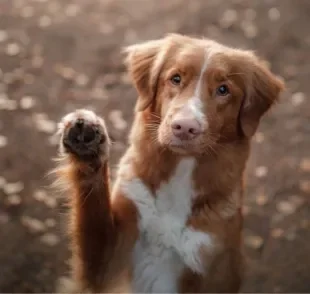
263, 91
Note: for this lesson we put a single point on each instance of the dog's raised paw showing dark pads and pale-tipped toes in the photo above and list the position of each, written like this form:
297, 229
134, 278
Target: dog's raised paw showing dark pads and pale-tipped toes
84, 135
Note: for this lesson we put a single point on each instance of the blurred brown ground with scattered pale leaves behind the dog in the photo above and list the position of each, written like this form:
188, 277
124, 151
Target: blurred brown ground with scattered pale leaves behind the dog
56, 56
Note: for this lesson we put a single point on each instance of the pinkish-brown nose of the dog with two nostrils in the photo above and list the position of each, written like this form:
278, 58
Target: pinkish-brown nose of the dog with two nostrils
186, 129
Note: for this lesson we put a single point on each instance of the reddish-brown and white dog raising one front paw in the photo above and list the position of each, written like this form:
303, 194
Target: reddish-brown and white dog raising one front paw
172, 223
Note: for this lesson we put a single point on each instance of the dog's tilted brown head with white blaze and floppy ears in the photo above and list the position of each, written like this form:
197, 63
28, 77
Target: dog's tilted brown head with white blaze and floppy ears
196, 93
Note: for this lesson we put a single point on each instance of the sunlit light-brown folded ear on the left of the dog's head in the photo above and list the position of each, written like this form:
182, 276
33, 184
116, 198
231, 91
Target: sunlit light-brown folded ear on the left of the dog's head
144, 62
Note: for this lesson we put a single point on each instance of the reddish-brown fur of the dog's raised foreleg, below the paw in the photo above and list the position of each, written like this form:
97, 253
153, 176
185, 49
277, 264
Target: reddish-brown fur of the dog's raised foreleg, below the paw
97, 230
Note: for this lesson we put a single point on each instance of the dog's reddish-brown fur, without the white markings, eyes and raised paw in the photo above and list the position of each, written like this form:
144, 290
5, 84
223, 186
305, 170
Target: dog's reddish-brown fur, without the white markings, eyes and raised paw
104, 229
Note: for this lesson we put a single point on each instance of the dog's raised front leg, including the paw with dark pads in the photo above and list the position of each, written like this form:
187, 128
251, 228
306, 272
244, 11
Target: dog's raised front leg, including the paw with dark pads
102, 232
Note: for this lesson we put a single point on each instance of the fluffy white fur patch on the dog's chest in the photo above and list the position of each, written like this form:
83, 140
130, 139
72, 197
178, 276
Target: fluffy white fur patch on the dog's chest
166, 245
